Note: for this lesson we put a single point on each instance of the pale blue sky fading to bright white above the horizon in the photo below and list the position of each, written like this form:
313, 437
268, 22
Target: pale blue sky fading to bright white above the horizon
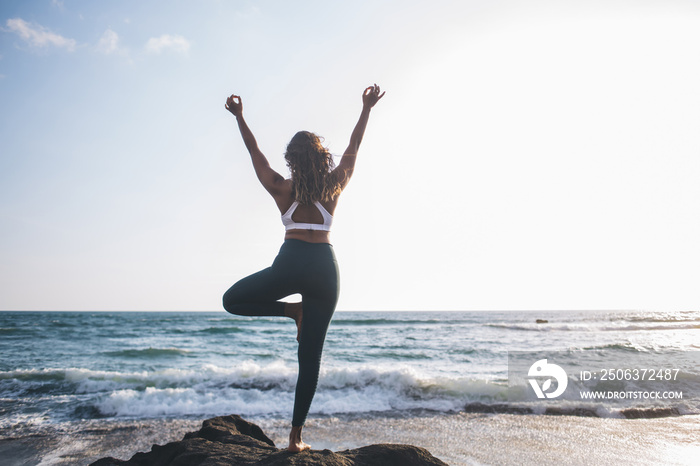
540, 155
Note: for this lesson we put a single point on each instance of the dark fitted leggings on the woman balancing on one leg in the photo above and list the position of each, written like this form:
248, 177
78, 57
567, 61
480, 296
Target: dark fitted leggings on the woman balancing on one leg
300, 267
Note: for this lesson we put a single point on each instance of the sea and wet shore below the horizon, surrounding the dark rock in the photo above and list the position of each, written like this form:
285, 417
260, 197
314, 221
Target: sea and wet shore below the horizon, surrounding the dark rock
75, 385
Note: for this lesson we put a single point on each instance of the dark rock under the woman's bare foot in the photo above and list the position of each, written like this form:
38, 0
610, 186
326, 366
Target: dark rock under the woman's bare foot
231, 440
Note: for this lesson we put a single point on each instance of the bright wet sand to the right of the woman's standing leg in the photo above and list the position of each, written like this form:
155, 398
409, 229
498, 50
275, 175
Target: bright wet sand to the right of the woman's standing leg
507, 439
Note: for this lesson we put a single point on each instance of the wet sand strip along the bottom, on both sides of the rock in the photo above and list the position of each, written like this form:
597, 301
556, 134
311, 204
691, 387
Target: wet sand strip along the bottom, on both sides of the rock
458, 439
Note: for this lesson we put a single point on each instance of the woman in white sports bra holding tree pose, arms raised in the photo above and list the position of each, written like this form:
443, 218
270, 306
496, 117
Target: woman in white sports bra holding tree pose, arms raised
306, 262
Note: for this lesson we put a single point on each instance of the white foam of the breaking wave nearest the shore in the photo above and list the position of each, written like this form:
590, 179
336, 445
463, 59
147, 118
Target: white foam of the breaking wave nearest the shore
250, 388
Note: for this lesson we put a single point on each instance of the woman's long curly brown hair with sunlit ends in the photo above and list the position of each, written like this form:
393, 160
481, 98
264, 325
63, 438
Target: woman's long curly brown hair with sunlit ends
311, 166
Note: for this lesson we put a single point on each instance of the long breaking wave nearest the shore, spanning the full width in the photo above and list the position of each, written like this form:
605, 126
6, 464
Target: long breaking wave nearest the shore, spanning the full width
256, 389
